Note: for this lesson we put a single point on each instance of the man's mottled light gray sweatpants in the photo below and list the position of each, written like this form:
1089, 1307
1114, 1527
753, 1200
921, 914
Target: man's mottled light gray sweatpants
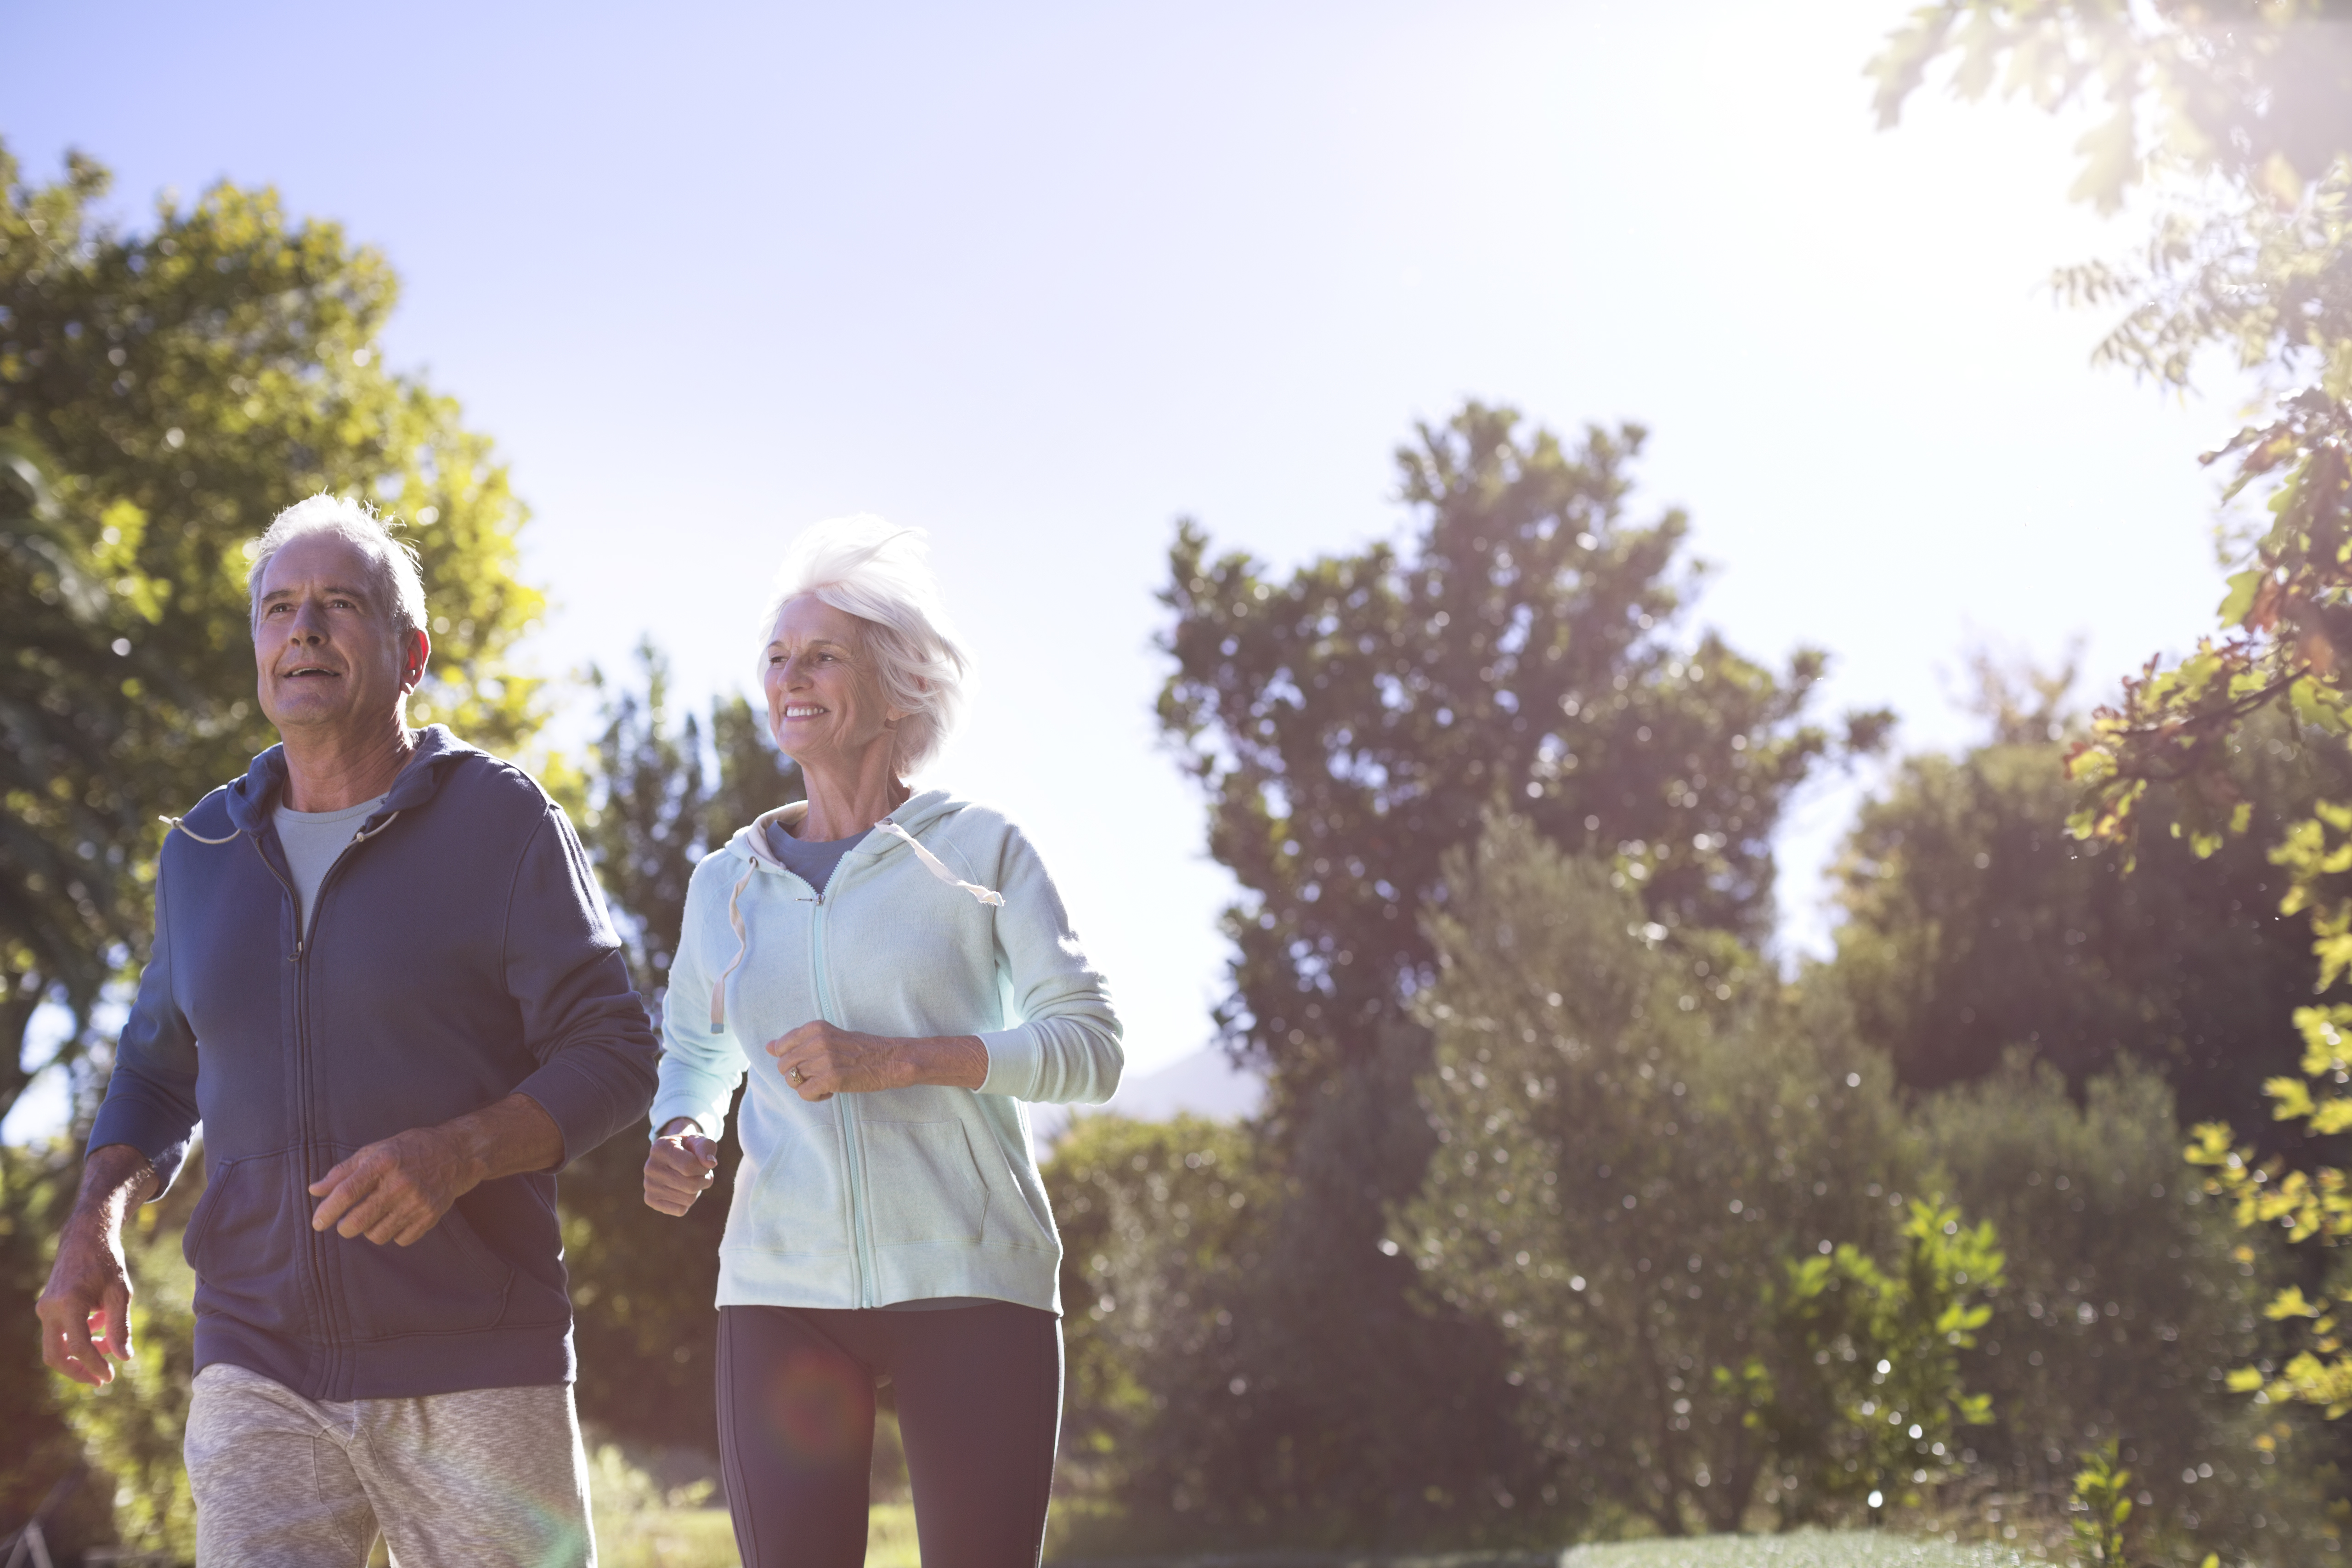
450, 1480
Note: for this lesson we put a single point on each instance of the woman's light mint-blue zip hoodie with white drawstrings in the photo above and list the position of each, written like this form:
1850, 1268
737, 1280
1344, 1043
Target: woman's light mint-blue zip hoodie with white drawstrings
940, 923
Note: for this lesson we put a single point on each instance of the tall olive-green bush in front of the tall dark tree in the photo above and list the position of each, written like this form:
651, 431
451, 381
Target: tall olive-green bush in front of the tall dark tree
1631, 1144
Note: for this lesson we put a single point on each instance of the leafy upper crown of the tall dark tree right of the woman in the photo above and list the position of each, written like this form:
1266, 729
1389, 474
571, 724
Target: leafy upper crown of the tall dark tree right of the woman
1354, 723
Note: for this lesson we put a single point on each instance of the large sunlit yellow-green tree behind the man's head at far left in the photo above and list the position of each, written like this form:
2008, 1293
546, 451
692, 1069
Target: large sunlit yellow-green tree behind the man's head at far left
187, 382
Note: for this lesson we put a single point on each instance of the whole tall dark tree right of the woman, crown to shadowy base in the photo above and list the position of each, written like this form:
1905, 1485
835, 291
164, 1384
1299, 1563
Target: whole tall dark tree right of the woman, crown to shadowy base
1351, 725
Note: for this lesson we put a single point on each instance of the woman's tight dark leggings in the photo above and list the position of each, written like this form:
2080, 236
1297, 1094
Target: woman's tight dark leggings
980, 1414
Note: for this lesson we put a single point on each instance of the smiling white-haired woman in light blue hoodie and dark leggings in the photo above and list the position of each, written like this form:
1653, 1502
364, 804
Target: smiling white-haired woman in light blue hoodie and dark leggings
900, 977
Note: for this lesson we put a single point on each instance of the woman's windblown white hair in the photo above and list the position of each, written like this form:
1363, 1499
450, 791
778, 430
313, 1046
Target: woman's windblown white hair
881, 575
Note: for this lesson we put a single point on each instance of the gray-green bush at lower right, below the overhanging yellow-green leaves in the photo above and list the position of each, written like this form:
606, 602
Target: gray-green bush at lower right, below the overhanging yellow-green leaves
2130, 1299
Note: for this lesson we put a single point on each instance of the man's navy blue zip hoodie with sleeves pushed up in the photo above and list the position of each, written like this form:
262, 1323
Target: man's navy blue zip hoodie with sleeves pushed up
457, 953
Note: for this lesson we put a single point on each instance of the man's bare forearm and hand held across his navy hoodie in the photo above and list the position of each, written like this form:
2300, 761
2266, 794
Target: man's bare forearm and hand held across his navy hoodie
399, 1188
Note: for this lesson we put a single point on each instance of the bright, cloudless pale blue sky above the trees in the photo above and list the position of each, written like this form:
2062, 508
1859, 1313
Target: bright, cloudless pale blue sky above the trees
1045, 279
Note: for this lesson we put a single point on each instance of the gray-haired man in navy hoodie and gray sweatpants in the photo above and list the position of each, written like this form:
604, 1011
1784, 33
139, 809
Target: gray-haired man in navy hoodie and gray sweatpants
387, 984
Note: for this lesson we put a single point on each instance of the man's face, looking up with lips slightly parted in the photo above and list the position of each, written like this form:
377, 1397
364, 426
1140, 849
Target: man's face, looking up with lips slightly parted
326, 650
